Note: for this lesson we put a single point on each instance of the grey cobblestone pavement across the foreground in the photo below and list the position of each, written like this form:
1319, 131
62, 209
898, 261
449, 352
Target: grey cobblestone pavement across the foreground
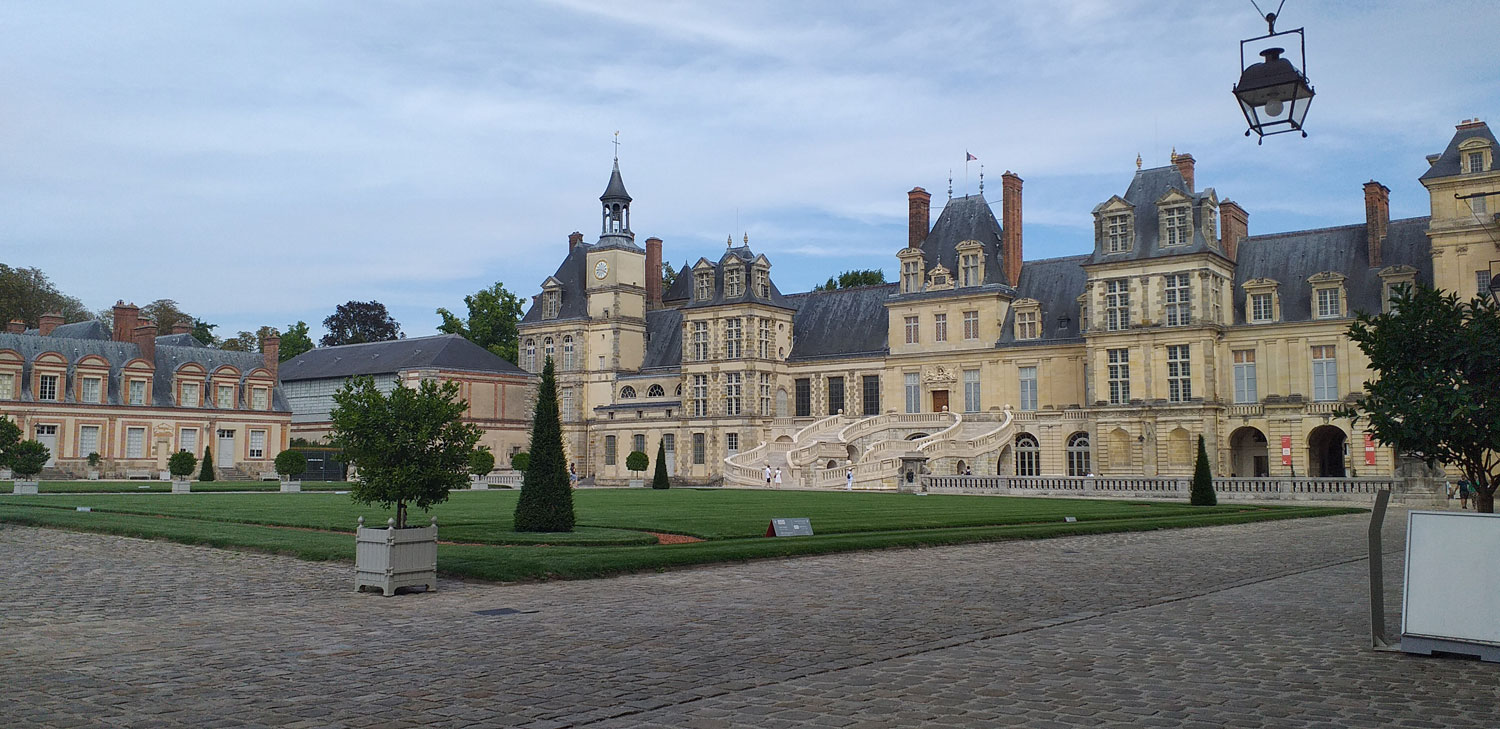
1235, 626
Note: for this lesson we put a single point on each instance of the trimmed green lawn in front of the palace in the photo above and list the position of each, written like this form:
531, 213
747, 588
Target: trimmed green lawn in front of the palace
614, 523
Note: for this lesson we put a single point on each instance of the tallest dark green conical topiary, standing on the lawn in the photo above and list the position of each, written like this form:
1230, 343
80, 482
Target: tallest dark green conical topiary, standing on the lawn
547, 497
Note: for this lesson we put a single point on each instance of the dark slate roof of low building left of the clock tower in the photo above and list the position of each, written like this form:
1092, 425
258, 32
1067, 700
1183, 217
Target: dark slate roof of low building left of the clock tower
442, 352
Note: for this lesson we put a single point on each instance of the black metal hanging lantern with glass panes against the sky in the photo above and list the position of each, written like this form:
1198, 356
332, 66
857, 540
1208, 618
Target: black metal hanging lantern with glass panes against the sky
1273, 94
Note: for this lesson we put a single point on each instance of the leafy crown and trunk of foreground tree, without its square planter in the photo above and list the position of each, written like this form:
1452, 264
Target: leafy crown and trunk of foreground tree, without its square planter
410, 446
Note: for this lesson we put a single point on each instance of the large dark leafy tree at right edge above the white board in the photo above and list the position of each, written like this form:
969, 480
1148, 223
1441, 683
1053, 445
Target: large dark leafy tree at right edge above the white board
1435, 398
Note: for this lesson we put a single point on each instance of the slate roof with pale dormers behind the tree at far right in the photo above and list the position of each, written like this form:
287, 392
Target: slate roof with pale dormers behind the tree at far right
1291, 259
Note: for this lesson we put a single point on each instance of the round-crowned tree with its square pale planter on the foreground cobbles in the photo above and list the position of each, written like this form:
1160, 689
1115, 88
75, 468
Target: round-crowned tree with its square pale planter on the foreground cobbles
410, 448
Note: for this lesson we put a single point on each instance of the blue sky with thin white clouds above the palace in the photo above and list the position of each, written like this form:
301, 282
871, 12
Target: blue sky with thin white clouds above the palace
262, 163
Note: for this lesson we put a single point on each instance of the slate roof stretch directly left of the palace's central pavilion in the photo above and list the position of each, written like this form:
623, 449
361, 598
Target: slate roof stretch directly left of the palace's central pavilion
844, 323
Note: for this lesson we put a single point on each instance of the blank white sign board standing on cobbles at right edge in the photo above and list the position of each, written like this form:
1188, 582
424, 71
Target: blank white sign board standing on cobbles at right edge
1453, 578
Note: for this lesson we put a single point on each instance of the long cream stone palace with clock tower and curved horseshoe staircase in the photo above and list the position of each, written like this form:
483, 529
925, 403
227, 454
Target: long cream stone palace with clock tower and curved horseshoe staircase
1177, 325
